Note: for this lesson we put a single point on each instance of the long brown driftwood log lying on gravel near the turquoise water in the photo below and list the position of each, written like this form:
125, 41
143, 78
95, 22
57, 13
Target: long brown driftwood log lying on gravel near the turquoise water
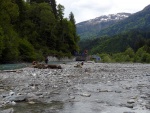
44, 66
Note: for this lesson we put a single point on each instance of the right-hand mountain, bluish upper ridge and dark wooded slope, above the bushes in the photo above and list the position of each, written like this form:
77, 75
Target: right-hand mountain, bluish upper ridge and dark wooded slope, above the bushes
133, 32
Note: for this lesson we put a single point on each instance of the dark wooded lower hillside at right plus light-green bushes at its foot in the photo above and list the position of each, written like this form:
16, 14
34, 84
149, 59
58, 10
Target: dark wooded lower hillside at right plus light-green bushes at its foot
132, 46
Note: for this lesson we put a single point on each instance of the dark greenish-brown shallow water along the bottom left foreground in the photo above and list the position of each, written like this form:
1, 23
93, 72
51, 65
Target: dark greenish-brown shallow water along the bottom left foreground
24, 107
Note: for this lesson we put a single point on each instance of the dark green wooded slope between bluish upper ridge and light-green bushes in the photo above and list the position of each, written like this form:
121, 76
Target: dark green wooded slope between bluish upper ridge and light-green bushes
117, 43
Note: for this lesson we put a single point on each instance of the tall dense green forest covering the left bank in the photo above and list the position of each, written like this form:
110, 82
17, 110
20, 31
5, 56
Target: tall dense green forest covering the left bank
34, 29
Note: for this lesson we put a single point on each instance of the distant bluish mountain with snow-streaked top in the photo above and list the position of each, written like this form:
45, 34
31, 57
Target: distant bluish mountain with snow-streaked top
91, 27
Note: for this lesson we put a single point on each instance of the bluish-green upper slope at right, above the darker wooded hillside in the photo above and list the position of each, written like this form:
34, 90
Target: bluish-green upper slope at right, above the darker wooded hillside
139, 20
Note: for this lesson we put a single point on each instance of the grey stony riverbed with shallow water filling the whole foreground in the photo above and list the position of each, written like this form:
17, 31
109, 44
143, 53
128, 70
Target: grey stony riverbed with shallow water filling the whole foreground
94, 88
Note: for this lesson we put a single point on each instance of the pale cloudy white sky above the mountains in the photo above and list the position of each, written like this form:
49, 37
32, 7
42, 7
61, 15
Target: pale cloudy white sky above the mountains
89, 9
